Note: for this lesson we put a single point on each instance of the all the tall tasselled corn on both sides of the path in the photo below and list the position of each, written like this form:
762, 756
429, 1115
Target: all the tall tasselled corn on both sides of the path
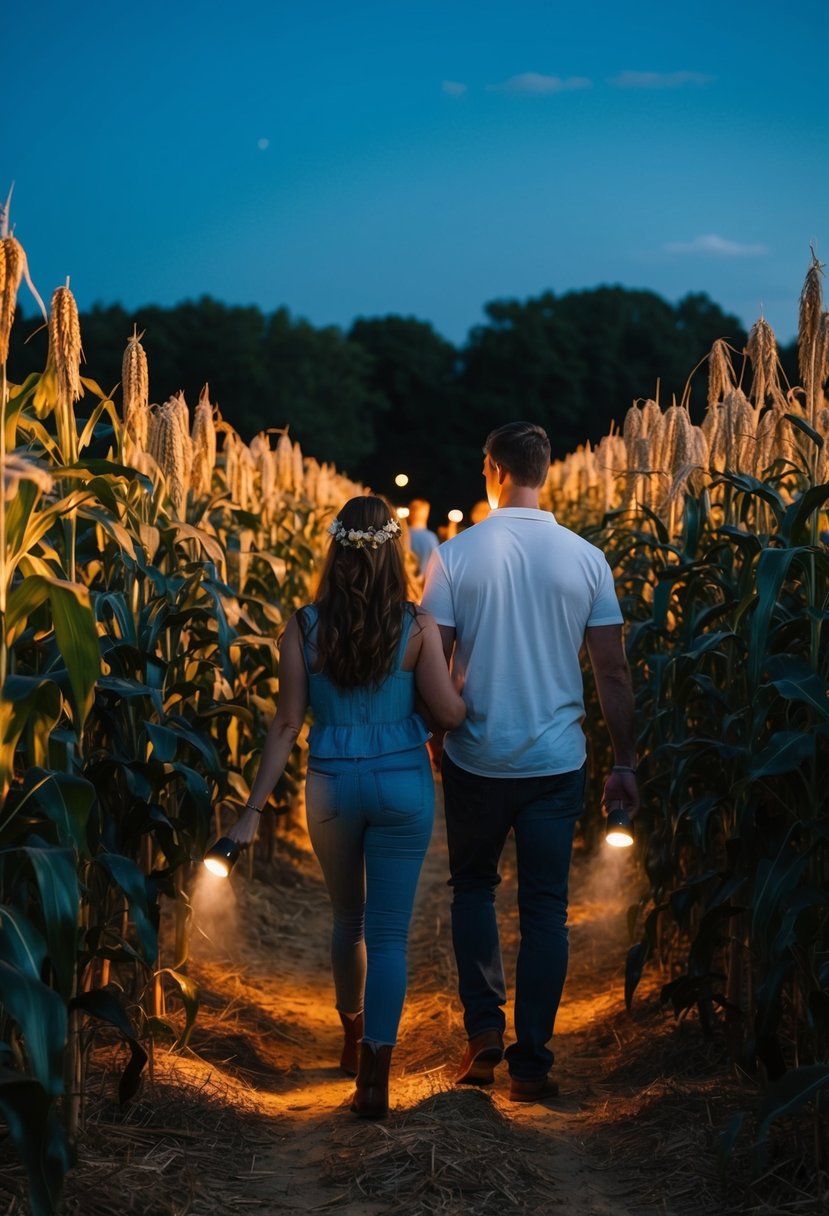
148, 561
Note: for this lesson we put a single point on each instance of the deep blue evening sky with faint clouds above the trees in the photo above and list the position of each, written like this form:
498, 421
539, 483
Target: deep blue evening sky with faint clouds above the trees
363, 159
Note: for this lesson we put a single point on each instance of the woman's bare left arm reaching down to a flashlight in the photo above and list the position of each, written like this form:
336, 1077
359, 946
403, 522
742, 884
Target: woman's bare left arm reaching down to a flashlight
283, 735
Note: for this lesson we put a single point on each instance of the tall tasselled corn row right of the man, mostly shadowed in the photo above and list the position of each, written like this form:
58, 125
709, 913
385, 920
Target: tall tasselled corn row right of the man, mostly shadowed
720, 543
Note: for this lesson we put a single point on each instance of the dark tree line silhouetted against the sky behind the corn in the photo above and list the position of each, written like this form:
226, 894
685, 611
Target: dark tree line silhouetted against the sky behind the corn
392, 396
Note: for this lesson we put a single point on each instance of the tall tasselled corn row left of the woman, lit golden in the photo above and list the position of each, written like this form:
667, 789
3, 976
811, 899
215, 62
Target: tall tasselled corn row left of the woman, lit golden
148, 562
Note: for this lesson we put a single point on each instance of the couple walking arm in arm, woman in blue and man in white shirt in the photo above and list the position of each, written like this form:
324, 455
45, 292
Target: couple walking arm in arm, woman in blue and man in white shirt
492, 657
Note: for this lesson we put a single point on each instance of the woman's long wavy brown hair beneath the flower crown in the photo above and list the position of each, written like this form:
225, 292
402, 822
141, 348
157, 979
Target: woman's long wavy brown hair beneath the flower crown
360, 601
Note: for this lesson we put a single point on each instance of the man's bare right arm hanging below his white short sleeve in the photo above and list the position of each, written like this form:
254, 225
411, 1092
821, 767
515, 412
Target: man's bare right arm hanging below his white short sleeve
616, 693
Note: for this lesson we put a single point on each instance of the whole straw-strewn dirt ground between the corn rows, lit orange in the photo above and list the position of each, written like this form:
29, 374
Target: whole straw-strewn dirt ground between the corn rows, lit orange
222, 1128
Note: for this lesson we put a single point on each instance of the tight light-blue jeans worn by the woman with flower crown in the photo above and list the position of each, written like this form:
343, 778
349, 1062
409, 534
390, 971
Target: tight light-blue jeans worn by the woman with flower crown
370, 824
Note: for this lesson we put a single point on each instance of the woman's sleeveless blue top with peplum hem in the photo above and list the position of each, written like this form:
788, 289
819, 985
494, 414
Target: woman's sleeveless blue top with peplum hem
366, 720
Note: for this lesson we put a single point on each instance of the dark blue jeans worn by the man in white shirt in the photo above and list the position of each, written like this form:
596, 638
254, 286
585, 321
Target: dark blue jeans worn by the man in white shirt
543, 813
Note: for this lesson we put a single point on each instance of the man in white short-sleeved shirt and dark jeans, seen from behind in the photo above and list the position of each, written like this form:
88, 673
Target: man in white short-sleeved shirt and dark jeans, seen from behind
516, 598
